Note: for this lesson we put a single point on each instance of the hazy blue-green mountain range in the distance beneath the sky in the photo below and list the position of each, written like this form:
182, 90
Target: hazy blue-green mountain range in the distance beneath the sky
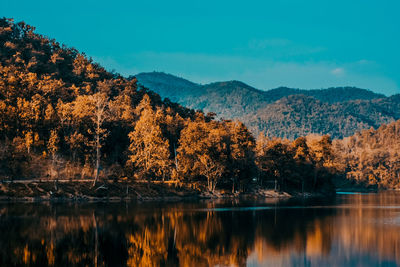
283, 112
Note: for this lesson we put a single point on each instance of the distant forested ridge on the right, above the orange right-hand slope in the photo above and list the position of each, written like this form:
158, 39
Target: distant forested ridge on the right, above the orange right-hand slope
299, 115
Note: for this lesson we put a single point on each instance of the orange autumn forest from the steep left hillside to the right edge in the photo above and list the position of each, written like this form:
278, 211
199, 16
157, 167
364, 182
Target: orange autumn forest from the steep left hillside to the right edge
62, 116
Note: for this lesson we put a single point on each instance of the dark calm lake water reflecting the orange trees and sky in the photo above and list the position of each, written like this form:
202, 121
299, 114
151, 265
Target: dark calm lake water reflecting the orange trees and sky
349, 230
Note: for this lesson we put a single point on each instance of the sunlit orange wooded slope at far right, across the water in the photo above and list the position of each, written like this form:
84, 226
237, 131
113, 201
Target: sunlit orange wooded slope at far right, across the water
371, 157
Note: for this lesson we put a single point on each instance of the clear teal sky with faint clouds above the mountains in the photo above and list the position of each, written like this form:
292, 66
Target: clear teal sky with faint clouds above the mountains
266, 44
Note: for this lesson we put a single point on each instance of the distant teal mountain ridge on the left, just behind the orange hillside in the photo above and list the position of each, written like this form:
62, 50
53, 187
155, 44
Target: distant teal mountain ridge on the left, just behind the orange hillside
224, 98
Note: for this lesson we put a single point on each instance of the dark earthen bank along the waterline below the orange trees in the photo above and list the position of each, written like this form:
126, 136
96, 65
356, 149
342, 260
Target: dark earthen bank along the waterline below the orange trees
81, 191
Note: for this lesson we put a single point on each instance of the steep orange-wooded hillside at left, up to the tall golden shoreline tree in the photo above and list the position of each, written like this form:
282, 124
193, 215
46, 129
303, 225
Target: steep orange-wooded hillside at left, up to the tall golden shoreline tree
60, 111
